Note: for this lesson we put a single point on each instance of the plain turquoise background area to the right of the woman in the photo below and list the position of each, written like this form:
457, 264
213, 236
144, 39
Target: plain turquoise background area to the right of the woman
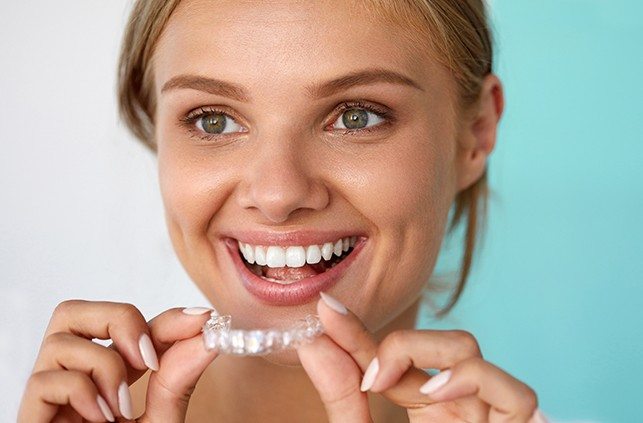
556, 296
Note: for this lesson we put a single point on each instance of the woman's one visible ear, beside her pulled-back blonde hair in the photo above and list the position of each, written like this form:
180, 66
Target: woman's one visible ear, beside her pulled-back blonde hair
478, 136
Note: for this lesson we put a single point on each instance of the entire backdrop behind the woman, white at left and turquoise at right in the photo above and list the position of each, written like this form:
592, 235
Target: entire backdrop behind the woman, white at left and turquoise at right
555, 297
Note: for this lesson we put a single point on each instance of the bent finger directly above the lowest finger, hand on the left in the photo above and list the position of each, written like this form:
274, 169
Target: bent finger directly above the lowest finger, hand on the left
64, 351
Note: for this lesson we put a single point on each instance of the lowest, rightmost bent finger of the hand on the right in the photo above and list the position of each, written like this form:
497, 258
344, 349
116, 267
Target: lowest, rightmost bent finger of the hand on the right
510, 399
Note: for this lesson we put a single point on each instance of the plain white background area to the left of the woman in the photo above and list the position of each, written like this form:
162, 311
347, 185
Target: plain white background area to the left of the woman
81, 214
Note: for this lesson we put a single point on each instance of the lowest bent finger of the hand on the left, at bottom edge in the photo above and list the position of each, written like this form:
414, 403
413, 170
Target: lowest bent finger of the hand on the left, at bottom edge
47, 391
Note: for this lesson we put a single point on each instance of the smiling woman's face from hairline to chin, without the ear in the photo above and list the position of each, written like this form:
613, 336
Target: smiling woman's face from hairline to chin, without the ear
295, 124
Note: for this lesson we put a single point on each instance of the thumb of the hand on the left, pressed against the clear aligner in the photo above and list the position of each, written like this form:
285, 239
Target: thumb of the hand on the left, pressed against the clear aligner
169, 389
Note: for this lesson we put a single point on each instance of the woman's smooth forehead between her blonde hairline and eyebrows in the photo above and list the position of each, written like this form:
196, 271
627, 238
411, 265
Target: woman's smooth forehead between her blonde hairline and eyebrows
293, 42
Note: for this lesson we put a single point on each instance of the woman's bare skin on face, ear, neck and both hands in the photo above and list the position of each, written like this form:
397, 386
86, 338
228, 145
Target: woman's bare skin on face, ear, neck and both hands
290, 168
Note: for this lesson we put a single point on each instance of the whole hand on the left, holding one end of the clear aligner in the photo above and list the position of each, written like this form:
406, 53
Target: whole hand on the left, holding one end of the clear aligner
77, 379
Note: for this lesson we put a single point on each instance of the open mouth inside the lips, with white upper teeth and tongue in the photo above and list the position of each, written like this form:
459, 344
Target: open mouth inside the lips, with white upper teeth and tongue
286, 265
